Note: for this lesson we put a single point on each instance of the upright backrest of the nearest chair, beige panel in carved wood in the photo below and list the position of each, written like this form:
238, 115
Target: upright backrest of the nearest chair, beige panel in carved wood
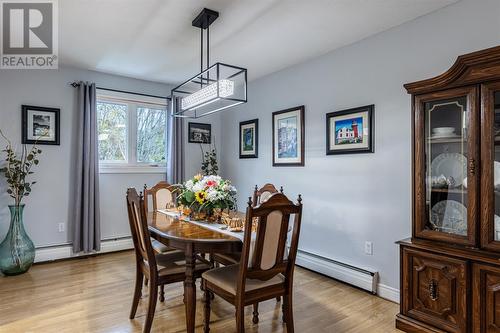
267, 258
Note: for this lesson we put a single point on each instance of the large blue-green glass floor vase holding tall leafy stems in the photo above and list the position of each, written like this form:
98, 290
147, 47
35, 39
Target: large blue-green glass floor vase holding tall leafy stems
17, 251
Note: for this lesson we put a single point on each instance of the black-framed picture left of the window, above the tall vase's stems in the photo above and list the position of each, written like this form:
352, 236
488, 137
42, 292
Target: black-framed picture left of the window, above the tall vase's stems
40, 125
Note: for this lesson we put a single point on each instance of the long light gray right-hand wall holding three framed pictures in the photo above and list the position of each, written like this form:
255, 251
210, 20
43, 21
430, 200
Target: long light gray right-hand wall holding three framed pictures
349, 199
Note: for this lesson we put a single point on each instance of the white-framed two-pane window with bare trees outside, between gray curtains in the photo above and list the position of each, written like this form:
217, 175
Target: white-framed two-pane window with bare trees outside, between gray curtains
131, 132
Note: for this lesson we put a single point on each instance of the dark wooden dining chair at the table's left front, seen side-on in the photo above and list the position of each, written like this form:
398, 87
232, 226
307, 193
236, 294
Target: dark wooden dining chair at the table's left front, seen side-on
159, 269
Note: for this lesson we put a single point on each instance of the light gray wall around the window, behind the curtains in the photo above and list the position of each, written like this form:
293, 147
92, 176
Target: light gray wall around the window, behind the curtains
49, 204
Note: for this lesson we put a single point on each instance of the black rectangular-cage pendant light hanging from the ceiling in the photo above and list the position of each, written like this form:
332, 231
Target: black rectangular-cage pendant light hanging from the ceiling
215, 88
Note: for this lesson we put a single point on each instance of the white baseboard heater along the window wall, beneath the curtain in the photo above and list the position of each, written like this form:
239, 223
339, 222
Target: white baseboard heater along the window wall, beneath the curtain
66, 251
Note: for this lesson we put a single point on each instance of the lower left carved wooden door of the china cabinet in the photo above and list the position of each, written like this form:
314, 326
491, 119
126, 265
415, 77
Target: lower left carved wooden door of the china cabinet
435, 290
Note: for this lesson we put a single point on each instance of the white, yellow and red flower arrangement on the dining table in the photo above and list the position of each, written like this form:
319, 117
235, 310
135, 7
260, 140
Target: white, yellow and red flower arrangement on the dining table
207, 193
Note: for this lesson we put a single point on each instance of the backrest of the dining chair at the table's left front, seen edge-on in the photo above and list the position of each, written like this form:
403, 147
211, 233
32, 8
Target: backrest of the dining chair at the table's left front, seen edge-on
139, 228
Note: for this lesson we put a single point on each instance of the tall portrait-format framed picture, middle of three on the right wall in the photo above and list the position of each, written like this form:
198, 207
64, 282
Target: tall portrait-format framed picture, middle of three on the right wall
288, 137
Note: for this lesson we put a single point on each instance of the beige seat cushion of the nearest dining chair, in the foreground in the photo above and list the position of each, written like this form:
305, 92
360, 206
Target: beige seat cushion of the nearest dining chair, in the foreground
226, 277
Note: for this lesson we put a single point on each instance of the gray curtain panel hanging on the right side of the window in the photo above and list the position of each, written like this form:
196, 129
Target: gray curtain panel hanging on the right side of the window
175, 145
